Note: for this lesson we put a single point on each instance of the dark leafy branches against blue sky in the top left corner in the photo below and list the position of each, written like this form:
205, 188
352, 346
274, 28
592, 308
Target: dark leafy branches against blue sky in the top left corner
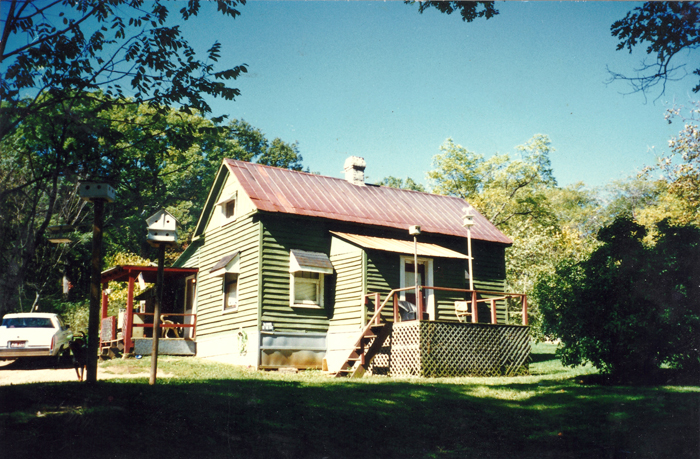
59, 52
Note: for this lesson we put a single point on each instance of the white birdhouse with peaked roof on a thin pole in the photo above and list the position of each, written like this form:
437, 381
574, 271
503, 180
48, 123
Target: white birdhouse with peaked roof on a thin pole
162, 232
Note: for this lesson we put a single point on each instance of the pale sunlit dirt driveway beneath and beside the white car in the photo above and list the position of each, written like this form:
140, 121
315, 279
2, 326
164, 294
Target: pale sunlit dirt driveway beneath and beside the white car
41, 370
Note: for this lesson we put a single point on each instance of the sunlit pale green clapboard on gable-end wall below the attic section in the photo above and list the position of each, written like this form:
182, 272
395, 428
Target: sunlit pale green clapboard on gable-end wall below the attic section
242, 235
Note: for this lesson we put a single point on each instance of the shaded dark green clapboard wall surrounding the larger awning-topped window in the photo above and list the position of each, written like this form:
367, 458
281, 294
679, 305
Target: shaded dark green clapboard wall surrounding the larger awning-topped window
280, 235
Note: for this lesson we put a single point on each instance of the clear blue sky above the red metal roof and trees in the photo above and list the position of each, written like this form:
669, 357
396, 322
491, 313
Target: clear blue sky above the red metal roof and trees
379, 80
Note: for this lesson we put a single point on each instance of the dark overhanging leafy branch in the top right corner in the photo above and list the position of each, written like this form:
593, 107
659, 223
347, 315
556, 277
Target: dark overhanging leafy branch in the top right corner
667, 29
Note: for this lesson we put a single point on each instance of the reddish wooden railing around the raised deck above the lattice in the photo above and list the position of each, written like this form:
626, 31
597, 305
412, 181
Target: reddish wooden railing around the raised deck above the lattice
487, 296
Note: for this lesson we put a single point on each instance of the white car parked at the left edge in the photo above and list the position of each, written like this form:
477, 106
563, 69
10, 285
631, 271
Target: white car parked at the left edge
34, 334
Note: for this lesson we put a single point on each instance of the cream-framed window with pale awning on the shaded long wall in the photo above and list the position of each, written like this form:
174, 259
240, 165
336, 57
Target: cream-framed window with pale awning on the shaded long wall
307, 270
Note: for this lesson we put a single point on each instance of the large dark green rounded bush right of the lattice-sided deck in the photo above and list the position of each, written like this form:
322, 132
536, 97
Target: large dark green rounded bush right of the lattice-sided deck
630, 307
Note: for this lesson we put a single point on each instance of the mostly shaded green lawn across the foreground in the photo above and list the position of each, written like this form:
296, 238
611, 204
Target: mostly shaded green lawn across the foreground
212, 410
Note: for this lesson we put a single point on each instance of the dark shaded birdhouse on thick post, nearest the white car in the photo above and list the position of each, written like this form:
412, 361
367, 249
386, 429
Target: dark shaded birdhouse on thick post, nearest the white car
98, 193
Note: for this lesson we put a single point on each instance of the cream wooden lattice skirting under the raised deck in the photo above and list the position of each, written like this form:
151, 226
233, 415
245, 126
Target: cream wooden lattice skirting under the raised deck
439, 349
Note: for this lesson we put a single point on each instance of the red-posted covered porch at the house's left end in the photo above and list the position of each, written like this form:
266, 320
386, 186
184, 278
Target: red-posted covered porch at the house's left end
131, 331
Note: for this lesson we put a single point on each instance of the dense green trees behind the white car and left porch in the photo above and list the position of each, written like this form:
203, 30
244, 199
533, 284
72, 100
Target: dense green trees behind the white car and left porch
155, 159
